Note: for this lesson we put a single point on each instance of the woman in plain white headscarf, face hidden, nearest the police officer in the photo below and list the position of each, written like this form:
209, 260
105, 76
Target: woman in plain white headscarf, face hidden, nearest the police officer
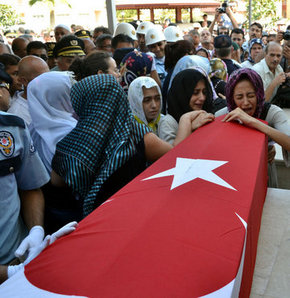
52, 119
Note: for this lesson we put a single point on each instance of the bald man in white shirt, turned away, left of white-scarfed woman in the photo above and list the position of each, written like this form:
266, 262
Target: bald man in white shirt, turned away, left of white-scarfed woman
29, 68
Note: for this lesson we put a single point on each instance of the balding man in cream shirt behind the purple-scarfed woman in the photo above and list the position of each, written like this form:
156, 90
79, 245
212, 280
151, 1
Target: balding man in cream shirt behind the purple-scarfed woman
270, 70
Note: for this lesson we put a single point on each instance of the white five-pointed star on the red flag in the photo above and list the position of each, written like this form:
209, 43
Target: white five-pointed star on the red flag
188, 169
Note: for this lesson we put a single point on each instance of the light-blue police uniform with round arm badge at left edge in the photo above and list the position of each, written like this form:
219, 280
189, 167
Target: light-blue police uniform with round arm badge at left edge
20, 167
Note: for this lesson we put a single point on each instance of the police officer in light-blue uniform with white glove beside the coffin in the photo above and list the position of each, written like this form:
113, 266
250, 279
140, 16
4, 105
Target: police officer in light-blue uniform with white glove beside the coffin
22, 173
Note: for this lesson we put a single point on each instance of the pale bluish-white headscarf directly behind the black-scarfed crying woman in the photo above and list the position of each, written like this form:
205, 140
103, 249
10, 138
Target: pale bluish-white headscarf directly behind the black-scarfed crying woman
189, 61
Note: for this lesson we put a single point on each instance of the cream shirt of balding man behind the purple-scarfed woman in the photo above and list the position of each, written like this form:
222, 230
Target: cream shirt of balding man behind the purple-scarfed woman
267, 75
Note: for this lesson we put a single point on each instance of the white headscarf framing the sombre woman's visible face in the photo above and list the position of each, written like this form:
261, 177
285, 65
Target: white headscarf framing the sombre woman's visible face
135, 97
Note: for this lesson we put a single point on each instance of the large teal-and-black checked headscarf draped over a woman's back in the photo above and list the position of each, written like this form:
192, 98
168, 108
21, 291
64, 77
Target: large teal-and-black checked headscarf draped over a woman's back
105, 137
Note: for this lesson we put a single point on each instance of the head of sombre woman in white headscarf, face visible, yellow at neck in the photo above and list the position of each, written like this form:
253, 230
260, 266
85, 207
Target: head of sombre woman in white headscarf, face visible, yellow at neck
145, 100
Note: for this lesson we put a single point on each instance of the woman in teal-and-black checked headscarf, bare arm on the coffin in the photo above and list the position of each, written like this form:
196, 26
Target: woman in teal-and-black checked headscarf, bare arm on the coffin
108, 147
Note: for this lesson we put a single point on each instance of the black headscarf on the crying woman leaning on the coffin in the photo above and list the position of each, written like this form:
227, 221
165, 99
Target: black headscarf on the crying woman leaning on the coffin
182, 89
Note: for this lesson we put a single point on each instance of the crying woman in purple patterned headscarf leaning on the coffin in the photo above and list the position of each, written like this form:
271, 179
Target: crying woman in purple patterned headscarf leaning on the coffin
246, 104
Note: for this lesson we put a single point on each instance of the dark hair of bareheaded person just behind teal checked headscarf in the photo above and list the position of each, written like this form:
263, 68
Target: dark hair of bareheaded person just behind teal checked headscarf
90, 65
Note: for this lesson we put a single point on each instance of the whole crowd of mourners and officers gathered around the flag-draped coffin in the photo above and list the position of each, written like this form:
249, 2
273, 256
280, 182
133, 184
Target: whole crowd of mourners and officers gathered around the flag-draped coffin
83, 115
